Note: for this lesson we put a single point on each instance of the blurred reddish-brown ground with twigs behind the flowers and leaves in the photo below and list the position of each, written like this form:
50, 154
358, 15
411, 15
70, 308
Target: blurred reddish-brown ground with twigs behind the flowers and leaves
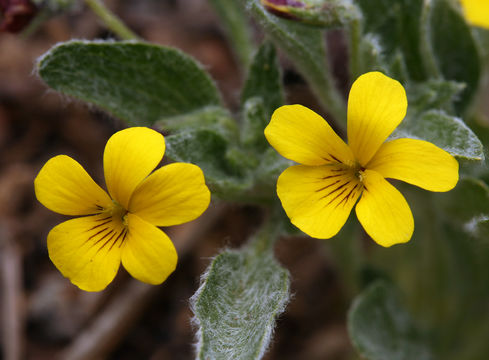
44, 316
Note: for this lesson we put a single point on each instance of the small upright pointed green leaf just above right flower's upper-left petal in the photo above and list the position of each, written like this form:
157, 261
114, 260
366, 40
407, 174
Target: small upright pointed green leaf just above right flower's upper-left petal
264, 80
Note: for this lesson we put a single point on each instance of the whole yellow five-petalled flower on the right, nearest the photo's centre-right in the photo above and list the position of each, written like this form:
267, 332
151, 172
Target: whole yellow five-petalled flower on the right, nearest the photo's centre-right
319, 194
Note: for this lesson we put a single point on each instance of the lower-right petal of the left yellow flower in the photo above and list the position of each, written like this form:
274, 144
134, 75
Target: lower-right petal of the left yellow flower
148, 254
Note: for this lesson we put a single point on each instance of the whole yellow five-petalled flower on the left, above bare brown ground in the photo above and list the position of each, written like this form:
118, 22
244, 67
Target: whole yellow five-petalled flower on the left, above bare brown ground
121, 227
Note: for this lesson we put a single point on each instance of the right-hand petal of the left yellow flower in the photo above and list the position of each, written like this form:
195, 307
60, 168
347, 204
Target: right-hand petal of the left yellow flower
172, 195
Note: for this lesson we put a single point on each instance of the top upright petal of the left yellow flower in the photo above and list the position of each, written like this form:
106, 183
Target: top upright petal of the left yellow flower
130, 155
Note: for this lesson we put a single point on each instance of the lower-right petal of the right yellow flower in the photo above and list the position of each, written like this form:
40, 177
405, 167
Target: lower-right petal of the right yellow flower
383, 212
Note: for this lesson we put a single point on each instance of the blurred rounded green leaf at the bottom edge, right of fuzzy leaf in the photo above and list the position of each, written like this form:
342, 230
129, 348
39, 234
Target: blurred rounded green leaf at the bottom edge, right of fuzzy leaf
381, 328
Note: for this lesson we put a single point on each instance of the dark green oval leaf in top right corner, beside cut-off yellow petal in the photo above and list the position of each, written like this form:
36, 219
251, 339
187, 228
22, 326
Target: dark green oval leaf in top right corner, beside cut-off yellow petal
454, 49
